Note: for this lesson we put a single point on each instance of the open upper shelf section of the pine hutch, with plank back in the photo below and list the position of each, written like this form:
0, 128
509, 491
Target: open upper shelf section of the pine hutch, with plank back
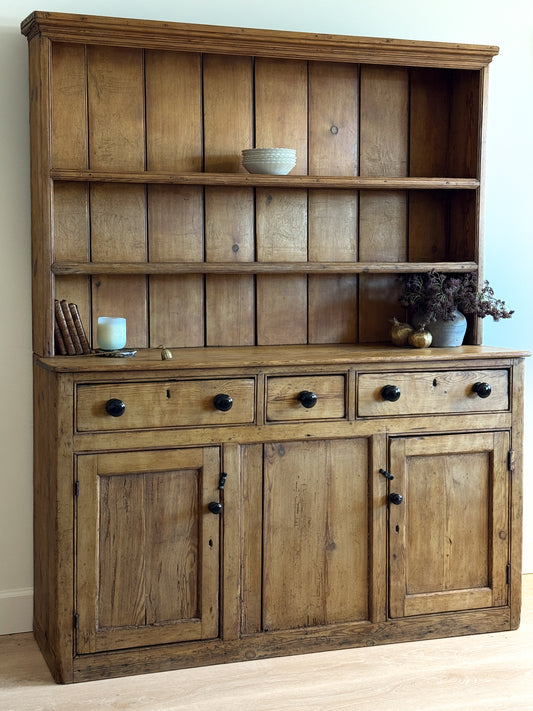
141, 206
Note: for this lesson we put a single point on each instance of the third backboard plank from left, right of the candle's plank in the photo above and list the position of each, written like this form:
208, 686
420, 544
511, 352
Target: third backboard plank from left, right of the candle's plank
175, 213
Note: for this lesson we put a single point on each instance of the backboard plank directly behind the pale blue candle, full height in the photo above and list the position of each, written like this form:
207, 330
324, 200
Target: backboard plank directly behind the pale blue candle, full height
118, 212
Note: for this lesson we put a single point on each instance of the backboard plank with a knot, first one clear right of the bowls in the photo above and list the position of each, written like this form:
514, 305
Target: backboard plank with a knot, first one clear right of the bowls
333, 150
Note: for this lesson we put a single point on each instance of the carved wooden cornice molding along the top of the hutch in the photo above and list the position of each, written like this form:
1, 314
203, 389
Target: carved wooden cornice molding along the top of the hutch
152, 34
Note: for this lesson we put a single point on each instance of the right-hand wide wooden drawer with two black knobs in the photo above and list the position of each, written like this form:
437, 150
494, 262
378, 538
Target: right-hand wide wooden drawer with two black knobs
434, 392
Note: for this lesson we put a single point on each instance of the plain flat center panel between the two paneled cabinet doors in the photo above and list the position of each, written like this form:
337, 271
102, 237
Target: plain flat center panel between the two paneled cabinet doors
315, 533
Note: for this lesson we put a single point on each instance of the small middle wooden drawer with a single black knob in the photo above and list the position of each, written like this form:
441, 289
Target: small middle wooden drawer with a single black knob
308, 397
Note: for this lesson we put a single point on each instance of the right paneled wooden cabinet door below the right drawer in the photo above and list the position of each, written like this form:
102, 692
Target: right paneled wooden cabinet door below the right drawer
449, 537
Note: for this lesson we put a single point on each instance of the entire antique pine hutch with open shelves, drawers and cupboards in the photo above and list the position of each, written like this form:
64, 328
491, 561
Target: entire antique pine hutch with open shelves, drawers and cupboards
295, 518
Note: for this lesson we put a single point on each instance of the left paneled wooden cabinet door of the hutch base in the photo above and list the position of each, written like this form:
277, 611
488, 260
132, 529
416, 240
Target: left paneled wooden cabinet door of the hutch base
147, 548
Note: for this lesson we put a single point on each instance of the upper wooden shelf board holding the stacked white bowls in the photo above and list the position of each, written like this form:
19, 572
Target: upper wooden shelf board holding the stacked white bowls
267, 181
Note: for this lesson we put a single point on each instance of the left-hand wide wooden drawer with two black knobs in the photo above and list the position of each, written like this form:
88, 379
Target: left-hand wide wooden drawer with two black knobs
186, 403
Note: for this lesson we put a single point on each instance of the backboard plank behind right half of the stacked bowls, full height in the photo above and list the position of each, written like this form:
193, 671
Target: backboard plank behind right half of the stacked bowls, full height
281, 215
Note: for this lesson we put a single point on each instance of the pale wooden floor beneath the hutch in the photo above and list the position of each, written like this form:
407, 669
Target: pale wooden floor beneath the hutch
493, 671
